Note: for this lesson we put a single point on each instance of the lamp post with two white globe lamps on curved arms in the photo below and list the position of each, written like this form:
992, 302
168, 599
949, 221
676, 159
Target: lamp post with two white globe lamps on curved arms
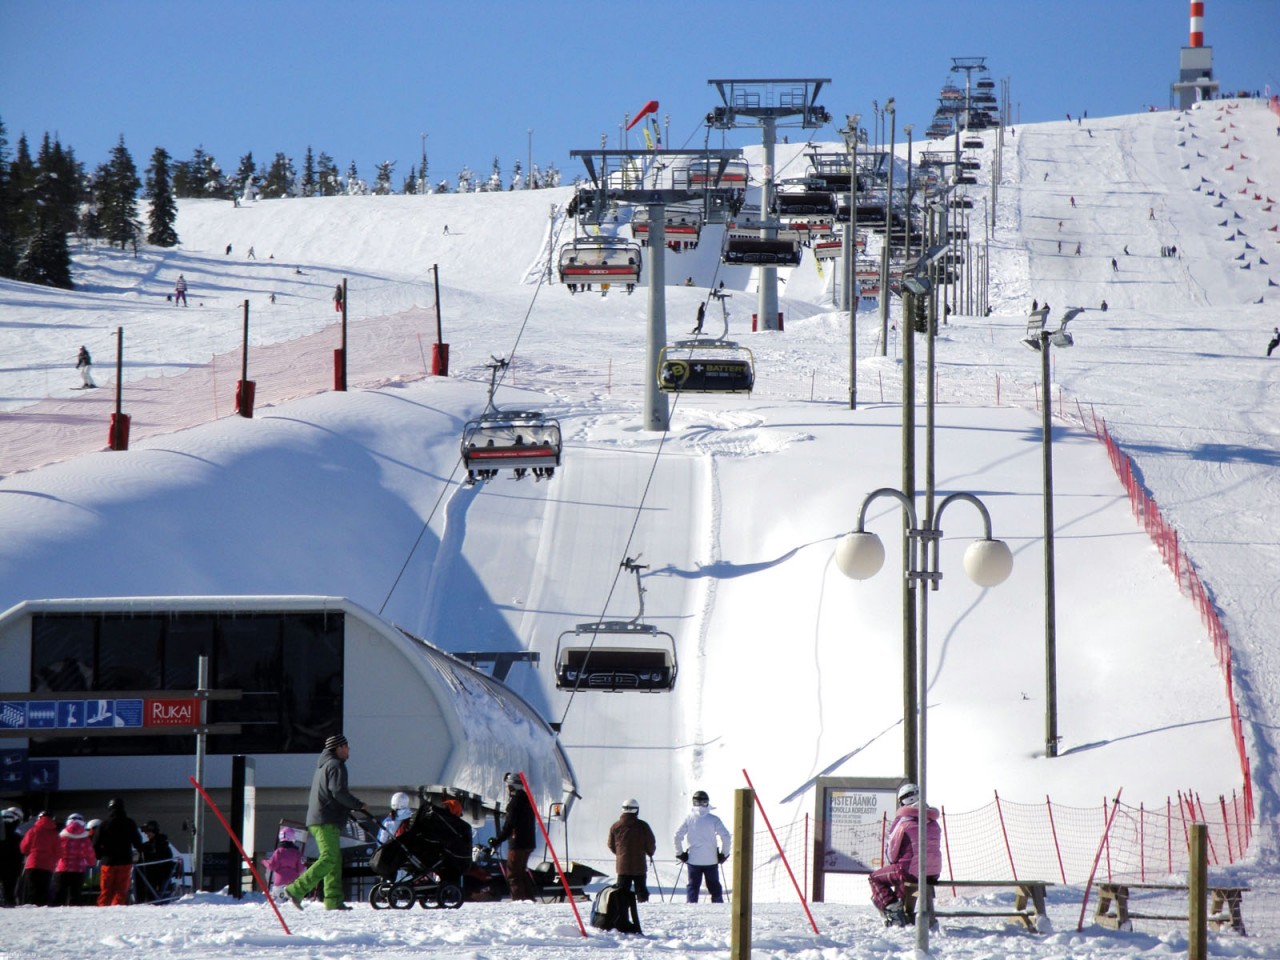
988, 563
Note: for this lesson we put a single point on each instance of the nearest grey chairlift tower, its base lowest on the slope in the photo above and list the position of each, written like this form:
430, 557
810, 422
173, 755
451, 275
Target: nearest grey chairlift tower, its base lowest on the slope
655, 180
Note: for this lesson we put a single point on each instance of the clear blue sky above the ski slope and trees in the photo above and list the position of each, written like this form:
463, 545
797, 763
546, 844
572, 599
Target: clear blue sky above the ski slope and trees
365, 81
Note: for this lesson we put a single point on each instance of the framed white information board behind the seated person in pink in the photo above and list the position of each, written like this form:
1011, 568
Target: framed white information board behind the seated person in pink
853, 817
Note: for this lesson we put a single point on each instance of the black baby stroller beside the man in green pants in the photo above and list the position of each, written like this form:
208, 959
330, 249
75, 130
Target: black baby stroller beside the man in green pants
423, 863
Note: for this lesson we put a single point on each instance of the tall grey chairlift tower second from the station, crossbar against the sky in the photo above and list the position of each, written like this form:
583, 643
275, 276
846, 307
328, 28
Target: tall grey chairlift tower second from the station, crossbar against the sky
769, 104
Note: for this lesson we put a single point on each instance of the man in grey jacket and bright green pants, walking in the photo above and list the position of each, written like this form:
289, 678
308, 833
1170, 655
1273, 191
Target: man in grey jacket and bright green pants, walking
328, 810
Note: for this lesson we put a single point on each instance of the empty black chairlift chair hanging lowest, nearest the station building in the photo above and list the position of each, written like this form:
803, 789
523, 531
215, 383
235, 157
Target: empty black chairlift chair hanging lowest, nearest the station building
618, 656
